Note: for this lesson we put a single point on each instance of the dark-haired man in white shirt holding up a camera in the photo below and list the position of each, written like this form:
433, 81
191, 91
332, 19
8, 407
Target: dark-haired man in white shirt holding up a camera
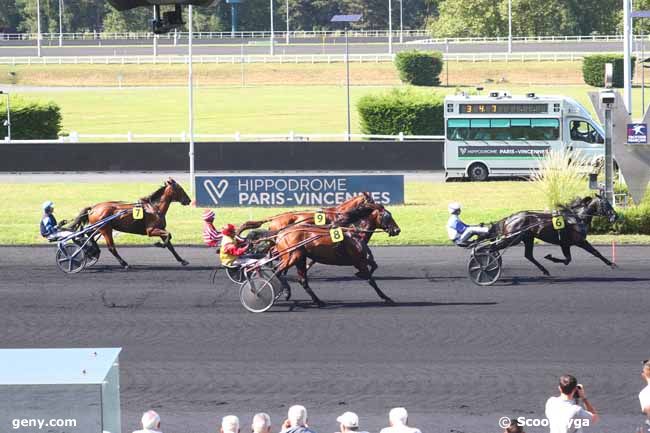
564, 412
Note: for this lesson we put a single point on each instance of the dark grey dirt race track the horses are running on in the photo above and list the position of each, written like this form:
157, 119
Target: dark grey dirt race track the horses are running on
456, 355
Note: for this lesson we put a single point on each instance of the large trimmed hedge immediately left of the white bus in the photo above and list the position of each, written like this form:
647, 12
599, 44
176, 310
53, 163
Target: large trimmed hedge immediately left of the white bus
402, 110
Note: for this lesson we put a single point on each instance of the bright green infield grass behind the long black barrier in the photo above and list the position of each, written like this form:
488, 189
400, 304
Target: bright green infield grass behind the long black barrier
226, 110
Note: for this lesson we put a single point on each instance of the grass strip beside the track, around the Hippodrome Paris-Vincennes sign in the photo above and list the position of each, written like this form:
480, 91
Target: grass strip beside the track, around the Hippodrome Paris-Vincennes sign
422, 220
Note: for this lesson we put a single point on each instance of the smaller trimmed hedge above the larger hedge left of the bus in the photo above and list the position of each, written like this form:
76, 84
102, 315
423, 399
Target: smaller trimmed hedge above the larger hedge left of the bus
419, 68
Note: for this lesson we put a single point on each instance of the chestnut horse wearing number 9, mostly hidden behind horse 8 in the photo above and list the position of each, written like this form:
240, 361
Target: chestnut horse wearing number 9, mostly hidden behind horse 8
278, 222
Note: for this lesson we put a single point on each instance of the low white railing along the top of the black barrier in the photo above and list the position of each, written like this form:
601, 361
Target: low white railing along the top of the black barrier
76, 137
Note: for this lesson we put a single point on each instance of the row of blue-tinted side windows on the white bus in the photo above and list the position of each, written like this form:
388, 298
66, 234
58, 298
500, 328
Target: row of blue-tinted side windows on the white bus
519, 129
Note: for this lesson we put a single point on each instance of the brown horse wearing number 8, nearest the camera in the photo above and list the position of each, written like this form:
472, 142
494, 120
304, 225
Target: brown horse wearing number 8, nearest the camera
316, 244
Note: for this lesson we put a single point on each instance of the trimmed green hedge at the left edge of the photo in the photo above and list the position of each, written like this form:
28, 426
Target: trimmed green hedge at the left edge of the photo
30, 119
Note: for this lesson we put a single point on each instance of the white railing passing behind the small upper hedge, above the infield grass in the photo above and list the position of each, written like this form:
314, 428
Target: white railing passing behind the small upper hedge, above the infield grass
281, 58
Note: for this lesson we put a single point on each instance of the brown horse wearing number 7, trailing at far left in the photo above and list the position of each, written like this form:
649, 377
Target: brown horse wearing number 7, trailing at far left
153, 223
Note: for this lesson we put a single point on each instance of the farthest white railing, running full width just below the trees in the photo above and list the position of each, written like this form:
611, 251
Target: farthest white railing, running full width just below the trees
89, 36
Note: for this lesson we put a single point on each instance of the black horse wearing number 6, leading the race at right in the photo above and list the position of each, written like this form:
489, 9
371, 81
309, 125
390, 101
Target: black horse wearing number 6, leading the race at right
527, 226
